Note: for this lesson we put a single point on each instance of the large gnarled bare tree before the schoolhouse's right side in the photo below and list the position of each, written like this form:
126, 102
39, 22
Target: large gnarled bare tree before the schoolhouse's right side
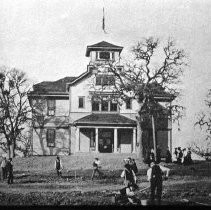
152, 76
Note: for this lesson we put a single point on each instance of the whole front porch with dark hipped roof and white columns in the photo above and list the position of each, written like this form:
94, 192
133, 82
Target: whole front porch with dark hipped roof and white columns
105, 133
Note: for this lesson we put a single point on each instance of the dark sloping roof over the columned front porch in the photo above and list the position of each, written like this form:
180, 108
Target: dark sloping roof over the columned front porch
105, 119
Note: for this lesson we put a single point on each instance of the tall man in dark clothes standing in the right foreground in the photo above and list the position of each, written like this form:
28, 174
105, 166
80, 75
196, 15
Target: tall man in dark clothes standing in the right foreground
154, 174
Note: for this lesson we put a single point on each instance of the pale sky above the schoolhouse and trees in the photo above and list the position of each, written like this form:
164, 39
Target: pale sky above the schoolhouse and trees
47, 39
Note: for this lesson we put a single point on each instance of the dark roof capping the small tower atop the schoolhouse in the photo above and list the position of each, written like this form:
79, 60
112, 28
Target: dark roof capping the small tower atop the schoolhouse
102, 45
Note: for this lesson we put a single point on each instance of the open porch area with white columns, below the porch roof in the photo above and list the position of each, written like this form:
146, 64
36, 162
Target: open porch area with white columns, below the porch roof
99, 139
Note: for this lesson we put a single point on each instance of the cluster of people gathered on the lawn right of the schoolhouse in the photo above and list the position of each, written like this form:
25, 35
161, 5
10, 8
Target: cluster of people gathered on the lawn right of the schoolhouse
183, 156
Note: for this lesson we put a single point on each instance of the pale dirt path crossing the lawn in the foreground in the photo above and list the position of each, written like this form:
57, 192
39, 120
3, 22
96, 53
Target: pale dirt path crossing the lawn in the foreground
89, 186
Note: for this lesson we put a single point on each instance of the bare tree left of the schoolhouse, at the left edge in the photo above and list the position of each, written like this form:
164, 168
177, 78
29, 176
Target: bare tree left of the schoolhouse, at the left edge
14, 106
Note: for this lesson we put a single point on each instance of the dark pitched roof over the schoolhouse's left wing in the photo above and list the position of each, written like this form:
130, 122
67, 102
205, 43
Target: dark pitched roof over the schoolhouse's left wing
57, 86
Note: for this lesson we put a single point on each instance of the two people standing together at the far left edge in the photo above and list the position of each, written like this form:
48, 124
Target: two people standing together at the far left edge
7, 170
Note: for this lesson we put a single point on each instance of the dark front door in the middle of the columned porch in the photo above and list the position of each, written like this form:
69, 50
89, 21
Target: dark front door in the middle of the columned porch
106, 139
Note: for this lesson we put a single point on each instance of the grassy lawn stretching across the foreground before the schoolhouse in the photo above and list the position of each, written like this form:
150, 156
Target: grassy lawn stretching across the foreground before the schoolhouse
36, 183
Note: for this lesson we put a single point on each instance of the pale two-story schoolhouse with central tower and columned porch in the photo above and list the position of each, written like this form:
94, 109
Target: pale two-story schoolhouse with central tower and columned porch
74, 120
